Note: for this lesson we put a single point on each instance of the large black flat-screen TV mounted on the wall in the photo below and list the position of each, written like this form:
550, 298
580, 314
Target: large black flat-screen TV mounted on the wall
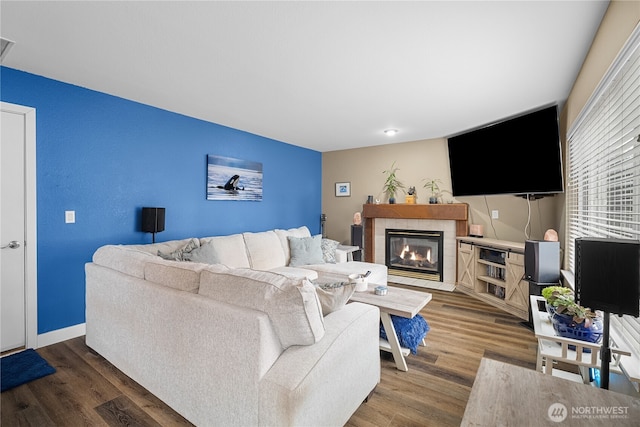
520, 155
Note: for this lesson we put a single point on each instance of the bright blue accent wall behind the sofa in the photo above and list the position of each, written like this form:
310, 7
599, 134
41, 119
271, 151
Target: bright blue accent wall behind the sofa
106, 157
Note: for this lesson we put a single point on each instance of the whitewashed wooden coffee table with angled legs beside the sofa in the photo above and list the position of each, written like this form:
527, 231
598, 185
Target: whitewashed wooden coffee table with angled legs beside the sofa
400, 302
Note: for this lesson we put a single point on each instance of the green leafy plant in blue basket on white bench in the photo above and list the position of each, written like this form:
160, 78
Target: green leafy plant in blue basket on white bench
570, 319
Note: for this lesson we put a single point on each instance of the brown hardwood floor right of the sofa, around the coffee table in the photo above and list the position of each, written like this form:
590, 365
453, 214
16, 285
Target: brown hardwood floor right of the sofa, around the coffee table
435, 390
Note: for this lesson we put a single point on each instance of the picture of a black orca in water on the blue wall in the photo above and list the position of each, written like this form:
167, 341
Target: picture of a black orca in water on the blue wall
233, 179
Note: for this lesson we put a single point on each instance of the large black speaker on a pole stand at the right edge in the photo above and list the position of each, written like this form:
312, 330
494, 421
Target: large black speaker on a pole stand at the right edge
607, 275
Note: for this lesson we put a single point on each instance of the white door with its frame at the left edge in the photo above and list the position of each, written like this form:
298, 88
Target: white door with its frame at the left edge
17, 320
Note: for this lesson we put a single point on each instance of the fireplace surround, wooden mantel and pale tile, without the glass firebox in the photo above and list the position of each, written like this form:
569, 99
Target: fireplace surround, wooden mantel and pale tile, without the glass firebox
451, 219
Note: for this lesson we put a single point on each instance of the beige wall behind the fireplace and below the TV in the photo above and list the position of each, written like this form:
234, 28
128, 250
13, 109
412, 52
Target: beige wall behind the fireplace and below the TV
418, 161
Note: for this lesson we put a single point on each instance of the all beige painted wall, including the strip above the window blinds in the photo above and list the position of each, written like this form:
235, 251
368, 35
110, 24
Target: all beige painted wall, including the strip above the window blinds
429, 159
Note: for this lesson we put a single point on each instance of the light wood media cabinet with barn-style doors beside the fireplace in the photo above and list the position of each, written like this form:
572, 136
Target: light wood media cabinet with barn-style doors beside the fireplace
493, 271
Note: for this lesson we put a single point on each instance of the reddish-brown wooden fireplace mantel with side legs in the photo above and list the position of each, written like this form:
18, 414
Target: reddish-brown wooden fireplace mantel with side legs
457, 212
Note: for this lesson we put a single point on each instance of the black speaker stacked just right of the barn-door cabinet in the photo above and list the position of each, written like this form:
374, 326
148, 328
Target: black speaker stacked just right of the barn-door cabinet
542, 261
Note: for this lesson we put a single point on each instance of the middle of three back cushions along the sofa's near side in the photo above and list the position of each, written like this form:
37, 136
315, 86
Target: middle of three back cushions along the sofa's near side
175, 274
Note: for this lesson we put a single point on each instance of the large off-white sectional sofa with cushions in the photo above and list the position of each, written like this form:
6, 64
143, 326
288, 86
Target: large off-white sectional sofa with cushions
239, 341
